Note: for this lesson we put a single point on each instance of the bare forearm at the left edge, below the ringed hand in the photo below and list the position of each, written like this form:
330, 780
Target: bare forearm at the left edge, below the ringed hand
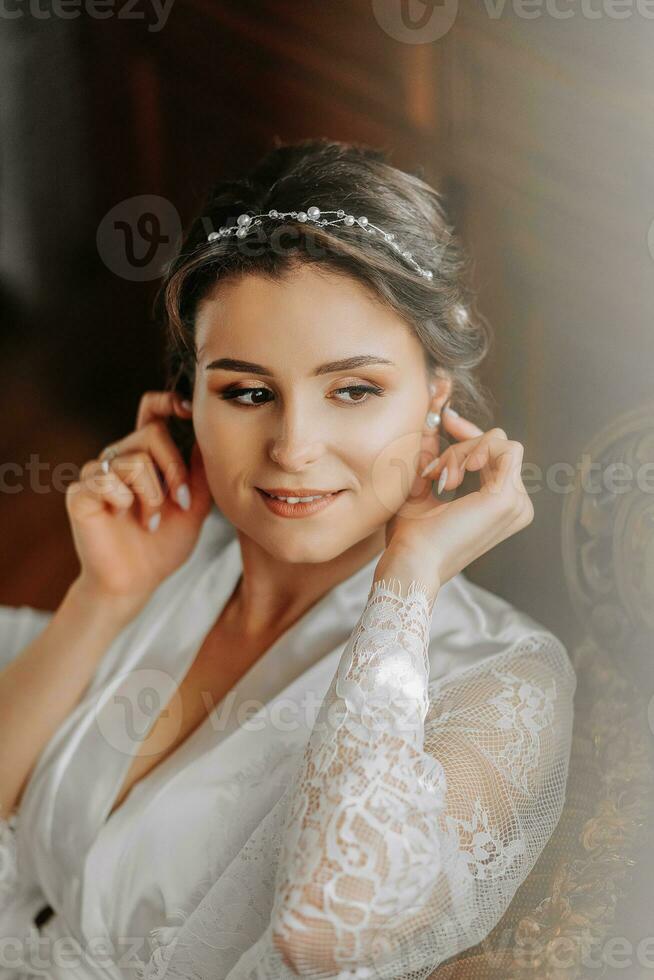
41, 686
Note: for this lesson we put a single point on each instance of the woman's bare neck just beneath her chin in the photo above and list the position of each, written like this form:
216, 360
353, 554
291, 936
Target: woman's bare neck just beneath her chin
272, 594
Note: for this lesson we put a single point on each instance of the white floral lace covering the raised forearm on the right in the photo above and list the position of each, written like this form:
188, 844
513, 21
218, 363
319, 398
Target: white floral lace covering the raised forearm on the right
354, 828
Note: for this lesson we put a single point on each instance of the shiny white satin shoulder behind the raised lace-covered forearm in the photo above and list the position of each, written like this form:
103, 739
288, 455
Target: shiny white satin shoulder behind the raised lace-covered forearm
471, 624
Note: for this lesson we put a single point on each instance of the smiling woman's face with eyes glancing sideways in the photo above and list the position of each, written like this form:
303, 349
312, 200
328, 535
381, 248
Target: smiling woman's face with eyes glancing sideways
275, 409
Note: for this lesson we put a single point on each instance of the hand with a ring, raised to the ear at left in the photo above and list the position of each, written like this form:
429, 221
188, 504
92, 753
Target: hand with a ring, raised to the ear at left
122, 560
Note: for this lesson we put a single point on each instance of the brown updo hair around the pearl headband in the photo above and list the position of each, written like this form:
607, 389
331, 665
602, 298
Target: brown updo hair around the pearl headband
331, 174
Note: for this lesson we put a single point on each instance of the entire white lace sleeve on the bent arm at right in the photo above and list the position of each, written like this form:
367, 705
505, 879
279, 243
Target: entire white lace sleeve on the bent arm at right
418, 809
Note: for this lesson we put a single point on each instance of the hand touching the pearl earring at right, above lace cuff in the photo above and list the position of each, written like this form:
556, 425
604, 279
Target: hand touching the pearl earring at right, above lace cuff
438, 539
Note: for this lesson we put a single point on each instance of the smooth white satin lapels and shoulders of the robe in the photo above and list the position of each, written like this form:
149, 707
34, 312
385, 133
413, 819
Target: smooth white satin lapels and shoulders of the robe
111, 880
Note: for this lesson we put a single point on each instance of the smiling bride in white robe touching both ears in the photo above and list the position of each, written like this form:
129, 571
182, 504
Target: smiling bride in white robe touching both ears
266, 735
